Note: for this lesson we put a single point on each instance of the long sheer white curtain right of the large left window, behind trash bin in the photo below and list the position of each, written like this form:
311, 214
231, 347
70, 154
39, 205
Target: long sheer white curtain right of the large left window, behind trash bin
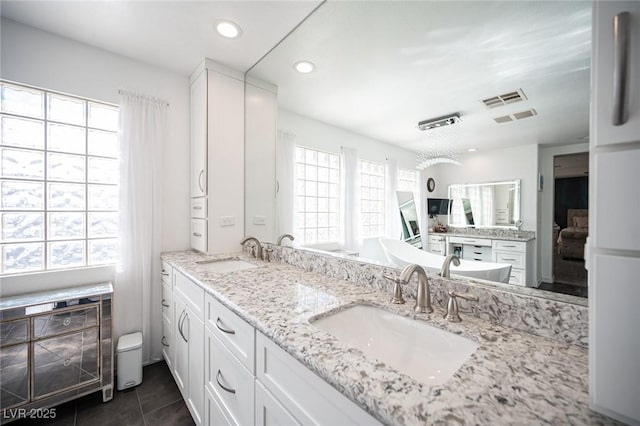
138, 289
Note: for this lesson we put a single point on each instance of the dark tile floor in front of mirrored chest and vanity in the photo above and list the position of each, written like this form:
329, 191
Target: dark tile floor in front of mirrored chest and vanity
157, 401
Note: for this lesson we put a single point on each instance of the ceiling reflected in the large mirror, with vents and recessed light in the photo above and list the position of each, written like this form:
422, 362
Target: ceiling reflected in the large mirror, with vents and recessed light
384, 66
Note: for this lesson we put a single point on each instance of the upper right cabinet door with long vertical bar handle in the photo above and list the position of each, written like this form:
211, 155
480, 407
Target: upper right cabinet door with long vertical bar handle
605, 101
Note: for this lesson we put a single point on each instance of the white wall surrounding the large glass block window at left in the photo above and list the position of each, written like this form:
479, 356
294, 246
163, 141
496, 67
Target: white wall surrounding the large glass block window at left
38, 58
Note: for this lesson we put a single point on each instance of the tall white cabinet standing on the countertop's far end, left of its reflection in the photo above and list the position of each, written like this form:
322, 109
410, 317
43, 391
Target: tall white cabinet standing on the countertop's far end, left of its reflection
217, 158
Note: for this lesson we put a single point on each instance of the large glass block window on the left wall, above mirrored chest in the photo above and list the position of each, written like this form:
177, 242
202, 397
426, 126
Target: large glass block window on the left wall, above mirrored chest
59, 173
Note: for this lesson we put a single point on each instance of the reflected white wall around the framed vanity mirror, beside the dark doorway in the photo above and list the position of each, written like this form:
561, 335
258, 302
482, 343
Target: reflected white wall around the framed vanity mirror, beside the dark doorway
520, 162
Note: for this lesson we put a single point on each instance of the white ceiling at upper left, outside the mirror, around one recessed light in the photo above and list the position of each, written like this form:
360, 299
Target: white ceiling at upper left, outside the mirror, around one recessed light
175, 35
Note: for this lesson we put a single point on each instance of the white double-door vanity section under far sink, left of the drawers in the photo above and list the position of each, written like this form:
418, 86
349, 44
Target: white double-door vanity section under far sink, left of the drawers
188, 302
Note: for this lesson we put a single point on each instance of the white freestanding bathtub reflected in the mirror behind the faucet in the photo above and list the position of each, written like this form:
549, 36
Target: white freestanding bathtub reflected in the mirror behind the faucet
402, 254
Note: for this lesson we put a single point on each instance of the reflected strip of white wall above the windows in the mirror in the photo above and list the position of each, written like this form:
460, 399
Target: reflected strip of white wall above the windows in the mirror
316, 134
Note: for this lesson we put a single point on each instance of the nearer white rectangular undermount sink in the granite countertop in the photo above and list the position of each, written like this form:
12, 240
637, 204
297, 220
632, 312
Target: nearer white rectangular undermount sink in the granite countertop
428, 354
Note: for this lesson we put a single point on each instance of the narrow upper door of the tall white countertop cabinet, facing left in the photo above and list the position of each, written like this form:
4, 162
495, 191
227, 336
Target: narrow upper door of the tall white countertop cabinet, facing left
199, 136
